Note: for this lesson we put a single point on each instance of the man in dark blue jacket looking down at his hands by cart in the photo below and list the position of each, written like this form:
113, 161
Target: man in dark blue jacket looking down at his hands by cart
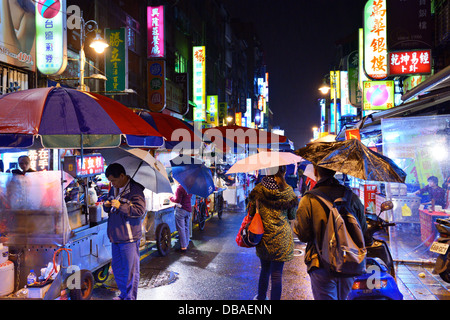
126, 208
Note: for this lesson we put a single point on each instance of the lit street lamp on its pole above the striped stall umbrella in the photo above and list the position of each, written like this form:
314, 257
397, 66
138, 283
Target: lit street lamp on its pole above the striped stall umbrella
98, 44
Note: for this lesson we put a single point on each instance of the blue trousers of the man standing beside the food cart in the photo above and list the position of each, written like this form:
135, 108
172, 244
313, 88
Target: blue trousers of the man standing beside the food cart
125, 265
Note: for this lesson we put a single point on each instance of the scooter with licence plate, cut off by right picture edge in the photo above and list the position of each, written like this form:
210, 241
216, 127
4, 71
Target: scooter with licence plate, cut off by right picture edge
440, 246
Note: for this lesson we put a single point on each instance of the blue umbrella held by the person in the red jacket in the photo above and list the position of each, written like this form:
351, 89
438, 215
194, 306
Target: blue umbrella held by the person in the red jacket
193, 176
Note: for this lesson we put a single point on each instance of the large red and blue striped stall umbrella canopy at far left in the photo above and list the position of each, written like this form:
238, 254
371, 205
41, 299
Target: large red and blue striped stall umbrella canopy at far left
63, 118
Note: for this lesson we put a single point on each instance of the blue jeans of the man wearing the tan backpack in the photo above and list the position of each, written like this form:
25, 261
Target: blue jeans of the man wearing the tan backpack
325, 286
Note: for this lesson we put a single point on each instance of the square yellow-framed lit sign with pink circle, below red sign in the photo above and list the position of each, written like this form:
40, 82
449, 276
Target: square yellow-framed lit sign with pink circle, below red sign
378, 95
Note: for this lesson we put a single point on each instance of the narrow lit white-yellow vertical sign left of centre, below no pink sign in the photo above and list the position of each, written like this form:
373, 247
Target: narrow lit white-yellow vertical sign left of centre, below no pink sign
199, 61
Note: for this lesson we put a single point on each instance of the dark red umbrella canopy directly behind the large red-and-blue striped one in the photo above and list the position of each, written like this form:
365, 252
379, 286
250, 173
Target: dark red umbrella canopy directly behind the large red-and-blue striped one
173, 130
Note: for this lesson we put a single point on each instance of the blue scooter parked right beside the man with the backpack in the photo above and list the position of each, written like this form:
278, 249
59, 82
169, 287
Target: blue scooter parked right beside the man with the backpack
378, 283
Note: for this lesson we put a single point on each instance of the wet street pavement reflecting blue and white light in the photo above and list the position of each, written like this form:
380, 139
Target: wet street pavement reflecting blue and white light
215, 268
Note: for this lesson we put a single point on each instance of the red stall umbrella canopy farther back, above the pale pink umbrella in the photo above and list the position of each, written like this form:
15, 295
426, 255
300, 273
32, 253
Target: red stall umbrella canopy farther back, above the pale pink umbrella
244, 136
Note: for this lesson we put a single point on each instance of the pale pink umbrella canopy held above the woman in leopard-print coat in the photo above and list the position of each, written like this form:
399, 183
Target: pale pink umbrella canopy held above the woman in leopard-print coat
263, 160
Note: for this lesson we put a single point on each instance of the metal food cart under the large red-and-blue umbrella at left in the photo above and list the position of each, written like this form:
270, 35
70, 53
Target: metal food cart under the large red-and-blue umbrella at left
37, 225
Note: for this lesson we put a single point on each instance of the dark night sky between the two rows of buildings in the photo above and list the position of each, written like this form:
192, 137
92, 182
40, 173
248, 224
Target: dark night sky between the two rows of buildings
299, 39
